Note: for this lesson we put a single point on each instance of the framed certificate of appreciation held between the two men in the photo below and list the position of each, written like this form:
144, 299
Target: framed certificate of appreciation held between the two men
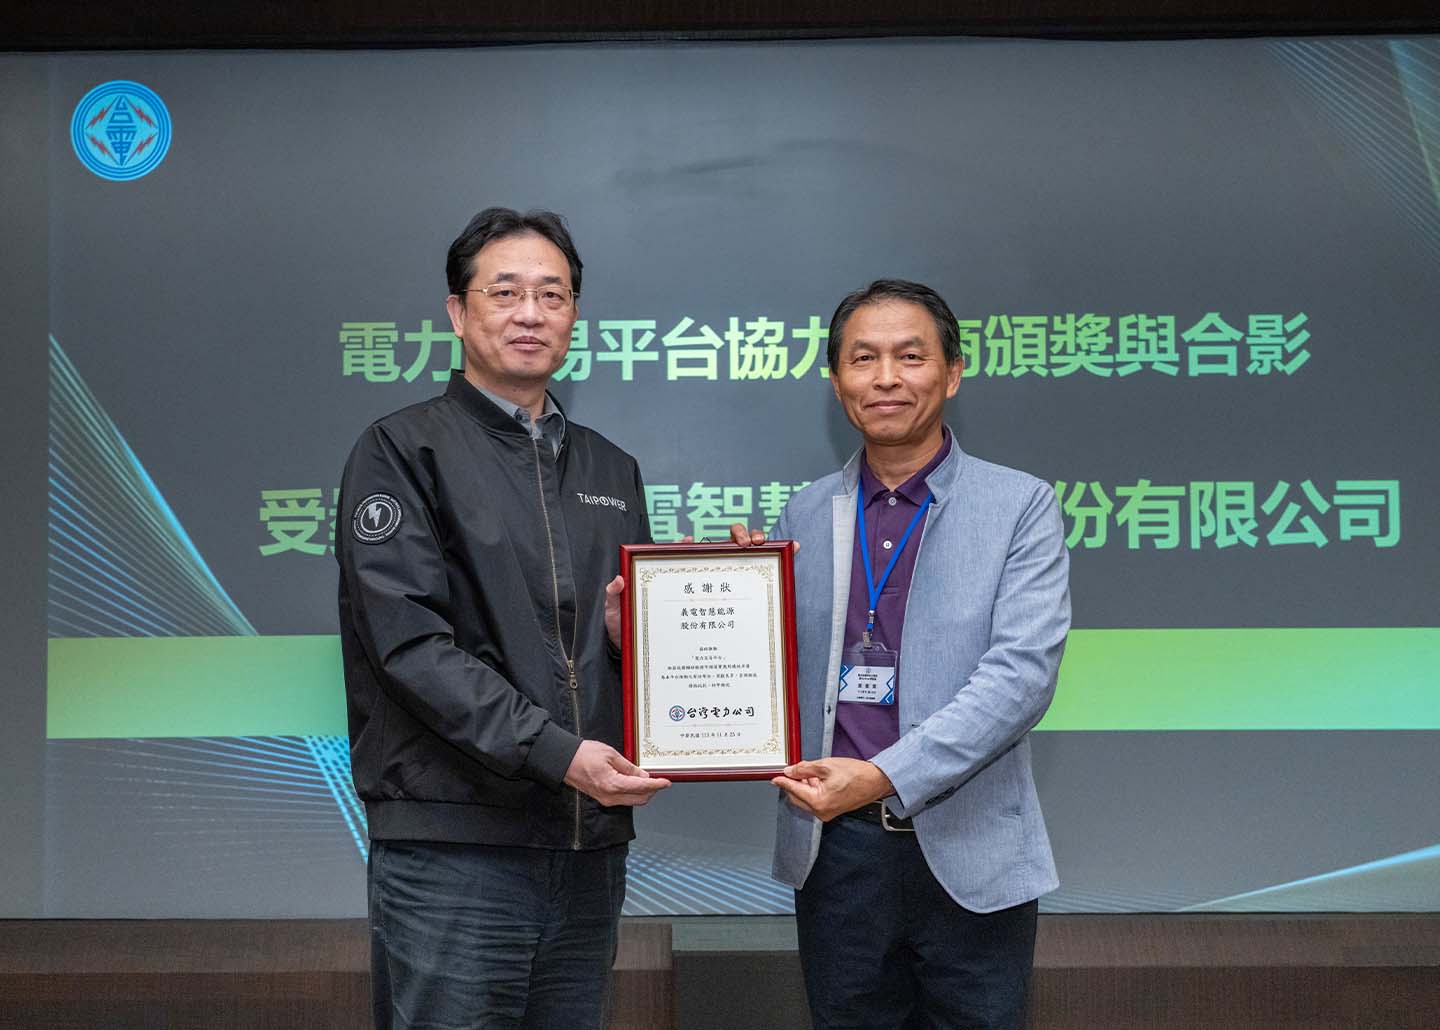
709, 659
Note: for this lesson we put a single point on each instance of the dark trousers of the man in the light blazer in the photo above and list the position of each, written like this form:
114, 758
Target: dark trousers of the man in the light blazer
883, 947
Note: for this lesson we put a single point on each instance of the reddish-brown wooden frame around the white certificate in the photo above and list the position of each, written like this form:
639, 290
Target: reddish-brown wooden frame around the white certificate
793, 711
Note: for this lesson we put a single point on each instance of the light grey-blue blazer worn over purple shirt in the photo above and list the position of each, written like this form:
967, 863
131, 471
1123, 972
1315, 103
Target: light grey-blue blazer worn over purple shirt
984, 630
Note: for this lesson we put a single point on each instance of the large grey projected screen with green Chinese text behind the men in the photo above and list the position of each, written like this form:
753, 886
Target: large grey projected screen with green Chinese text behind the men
1197, 289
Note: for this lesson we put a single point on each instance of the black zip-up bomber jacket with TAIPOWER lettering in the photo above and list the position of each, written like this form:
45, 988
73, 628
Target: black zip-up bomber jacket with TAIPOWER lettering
473, 570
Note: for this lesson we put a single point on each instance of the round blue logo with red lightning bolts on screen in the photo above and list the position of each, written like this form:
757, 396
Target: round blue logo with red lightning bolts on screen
122, 130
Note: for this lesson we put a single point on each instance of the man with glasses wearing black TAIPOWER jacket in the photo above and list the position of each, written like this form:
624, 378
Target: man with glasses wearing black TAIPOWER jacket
480, 624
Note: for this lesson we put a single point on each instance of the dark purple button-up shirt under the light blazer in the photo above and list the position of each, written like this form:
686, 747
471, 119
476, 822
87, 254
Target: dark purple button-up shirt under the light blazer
863, 731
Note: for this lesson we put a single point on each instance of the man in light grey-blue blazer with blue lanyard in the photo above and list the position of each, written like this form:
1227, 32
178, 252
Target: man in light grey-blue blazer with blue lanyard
914, 836
